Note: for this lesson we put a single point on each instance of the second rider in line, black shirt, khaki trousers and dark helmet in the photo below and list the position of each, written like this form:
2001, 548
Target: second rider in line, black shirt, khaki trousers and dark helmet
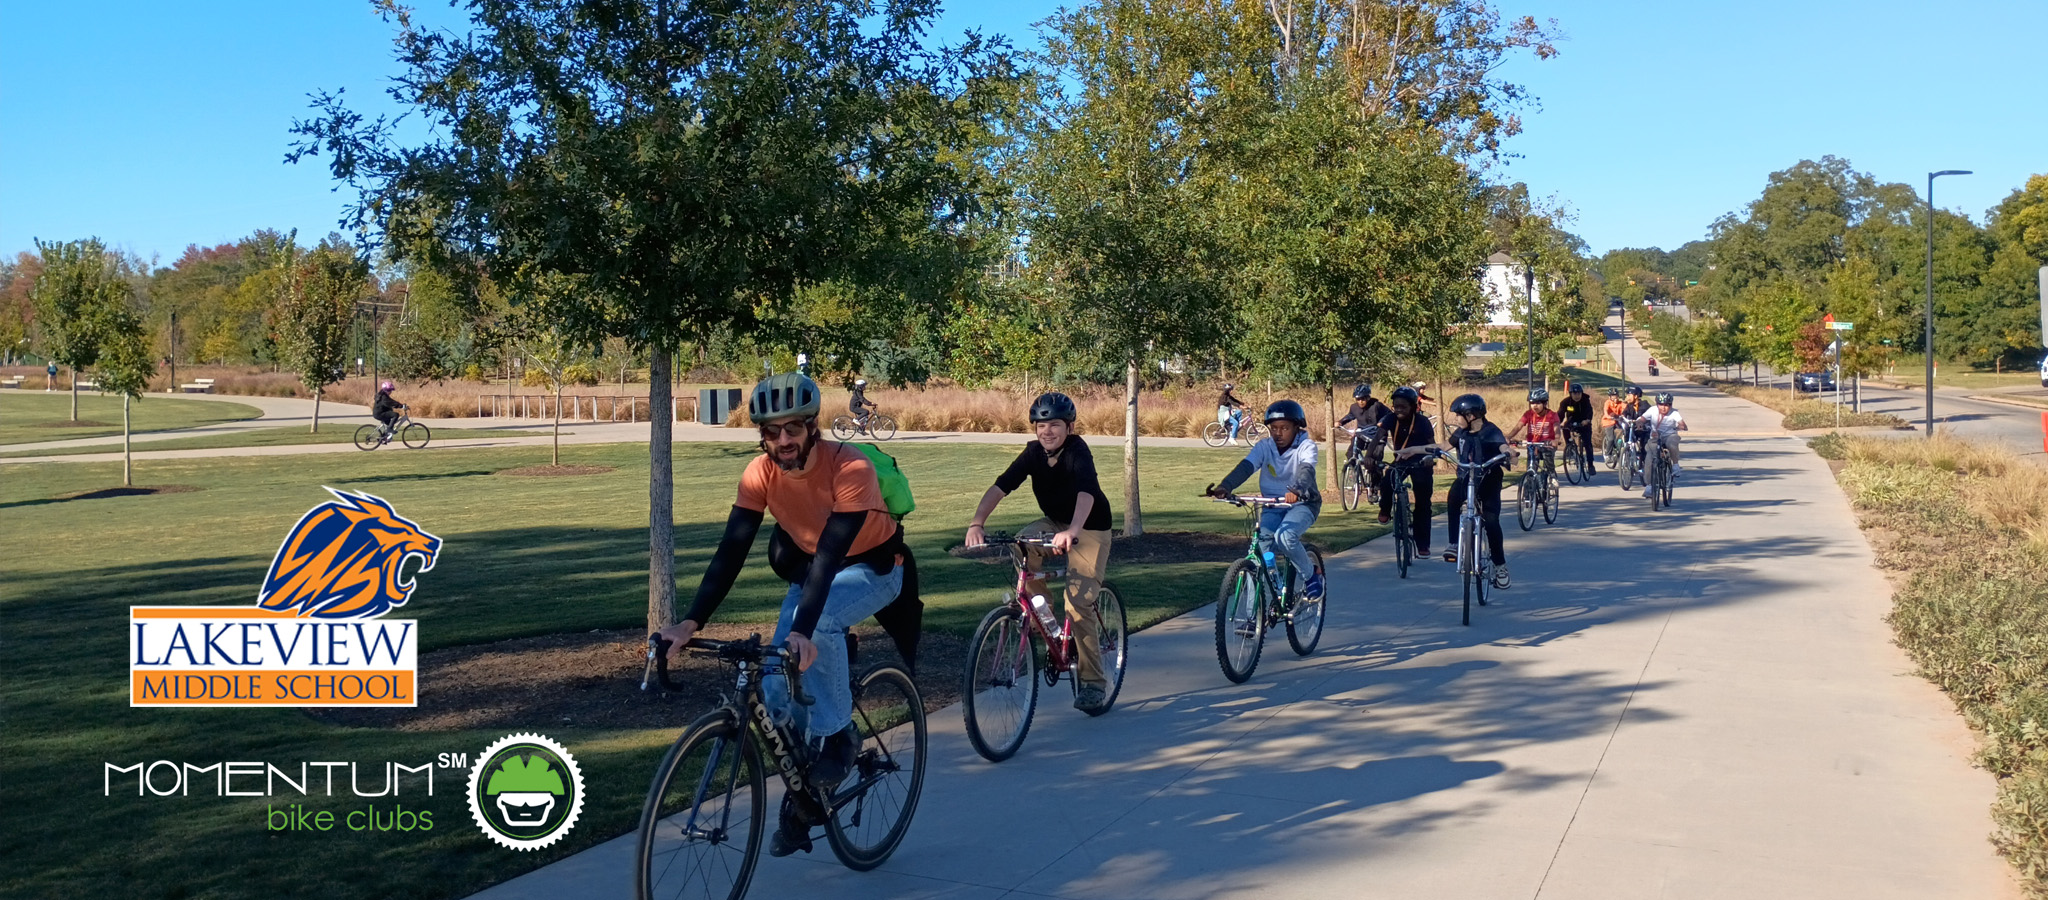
1076, 516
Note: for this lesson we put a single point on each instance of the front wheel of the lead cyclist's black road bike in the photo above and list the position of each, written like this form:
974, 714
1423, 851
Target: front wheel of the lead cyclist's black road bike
730, 764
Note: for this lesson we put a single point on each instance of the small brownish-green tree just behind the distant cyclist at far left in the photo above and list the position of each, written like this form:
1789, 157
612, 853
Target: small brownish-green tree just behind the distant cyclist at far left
314, 309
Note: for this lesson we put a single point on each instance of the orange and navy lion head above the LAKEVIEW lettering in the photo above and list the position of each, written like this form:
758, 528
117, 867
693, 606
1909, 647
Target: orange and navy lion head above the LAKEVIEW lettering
343, 561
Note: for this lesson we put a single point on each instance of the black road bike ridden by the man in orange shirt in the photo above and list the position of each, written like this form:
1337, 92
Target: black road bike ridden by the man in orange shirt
706, 813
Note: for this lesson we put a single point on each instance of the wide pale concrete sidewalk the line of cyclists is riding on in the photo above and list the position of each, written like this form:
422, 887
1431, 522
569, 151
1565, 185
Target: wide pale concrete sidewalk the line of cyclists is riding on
1687, 704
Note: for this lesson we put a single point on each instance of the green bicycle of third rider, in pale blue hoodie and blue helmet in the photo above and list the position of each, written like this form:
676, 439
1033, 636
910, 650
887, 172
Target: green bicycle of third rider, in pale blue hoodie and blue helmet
1258, 594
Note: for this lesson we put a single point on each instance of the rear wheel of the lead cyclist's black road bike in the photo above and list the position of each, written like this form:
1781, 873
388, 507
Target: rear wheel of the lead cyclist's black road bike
888, 770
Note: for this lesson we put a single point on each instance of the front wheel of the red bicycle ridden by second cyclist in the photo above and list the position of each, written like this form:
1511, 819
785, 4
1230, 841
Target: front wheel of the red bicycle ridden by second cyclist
1000, 657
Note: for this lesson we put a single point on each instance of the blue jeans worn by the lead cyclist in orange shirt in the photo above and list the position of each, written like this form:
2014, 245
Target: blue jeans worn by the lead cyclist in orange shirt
857, 594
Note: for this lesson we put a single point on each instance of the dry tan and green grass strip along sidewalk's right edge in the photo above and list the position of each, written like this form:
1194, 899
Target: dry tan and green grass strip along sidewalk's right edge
1967, 532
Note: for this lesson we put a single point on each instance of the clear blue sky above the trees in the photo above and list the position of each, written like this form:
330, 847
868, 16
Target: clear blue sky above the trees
157, 126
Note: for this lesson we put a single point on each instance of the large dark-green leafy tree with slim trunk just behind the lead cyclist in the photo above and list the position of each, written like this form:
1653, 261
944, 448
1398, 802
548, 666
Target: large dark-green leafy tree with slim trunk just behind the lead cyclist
693, 165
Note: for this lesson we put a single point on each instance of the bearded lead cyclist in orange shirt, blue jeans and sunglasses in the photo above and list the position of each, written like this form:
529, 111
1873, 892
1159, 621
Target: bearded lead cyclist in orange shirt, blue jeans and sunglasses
843, 553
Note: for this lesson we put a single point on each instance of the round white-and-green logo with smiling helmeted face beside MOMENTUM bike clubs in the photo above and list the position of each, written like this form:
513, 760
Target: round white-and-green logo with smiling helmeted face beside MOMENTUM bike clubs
525, 792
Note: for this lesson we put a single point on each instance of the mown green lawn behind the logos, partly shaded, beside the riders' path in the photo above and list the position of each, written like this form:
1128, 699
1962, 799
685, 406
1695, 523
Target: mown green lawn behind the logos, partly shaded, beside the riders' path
523, 557
